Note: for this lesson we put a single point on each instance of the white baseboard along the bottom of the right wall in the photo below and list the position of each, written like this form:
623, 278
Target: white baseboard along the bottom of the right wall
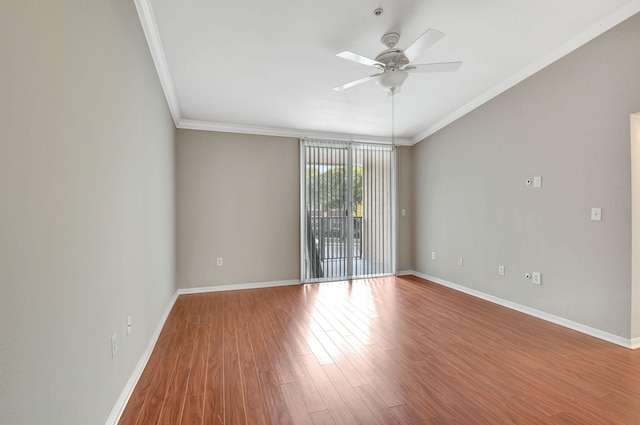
597, 333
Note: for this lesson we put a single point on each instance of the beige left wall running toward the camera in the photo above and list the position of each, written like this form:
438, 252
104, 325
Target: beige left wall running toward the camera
86, 207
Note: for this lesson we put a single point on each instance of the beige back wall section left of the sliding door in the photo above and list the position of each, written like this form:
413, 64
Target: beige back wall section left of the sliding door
238, 198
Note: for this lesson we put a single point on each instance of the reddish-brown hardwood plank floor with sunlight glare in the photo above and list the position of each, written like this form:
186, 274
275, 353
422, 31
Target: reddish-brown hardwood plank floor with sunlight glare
381, 351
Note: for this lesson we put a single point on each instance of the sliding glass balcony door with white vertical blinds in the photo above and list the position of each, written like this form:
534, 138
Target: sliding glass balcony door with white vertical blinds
347, 207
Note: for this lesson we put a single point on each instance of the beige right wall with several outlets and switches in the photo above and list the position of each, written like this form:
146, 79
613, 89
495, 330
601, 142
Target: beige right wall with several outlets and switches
569, 123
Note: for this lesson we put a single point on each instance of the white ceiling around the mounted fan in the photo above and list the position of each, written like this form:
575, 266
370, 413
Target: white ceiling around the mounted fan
268, 67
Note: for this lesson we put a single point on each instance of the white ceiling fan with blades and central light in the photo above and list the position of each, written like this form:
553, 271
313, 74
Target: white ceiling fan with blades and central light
395, 64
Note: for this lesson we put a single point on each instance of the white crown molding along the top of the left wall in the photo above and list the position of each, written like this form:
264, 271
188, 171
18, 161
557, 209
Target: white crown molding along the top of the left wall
150, 29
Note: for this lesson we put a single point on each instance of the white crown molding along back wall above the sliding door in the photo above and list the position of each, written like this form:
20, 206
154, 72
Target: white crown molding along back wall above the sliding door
284, 132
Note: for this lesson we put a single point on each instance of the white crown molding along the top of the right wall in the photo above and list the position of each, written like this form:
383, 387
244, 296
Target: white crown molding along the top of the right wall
584, 37
